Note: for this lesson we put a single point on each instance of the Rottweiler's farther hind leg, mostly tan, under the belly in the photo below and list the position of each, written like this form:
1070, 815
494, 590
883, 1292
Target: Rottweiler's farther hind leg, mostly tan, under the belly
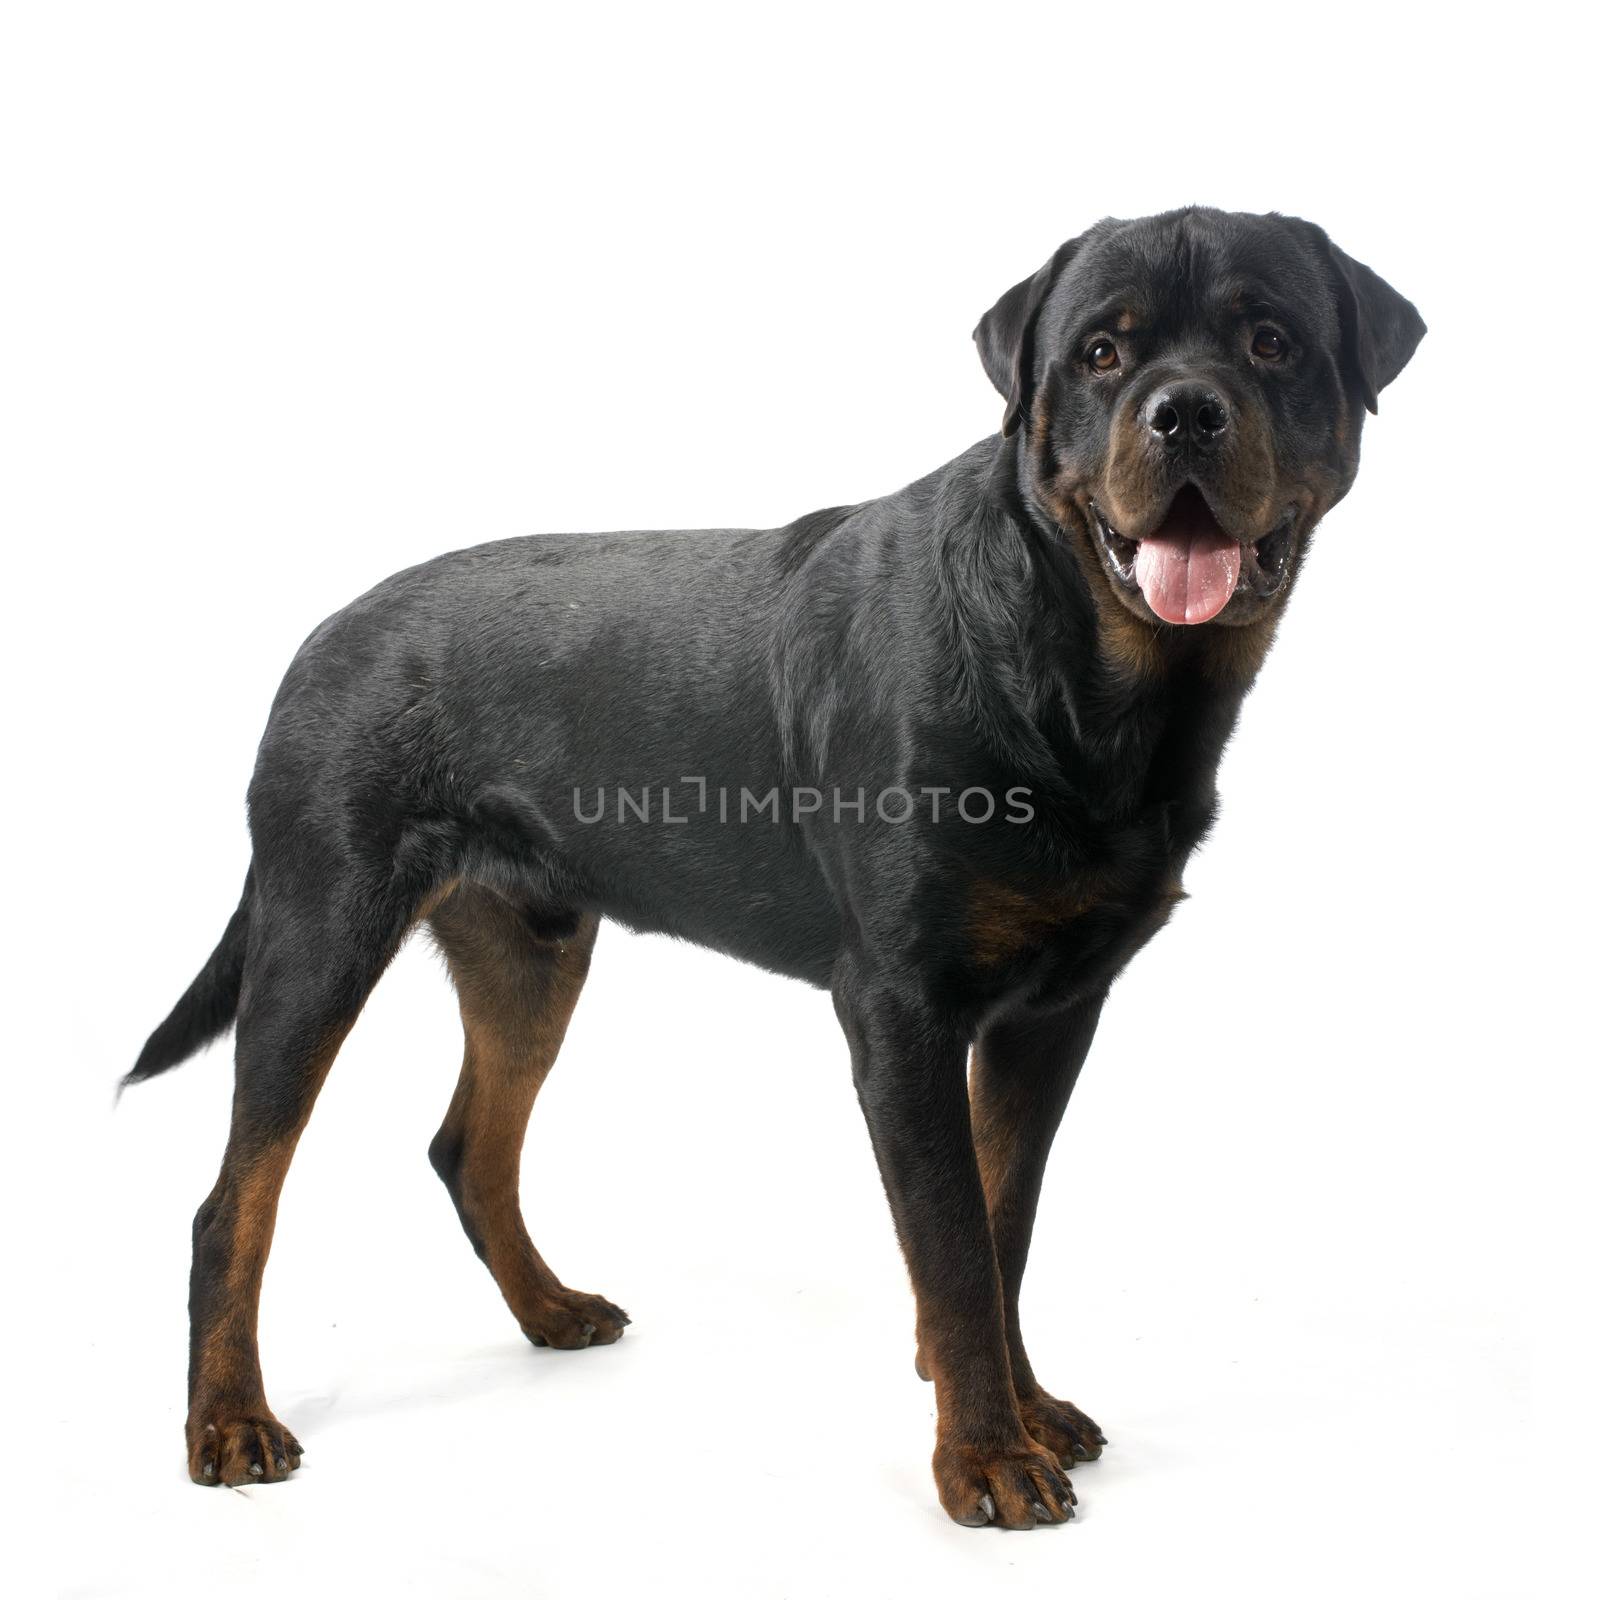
518, 982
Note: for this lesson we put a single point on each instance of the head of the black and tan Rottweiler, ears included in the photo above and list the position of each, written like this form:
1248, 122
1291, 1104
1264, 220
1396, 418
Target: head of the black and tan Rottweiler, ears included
1191, 390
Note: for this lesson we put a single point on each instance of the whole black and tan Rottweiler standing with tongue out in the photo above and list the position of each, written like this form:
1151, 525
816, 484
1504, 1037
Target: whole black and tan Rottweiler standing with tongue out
945, 754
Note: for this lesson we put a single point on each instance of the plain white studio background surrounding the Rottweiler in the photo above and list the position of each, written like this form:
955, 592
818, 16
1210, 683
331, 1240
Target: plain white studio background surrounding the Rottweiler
300, 295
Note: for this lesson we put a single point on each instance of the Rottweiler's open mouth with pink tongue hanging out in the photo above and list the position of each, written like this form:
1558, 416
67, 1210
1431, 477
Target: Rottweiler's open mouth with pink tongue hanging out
1188, 567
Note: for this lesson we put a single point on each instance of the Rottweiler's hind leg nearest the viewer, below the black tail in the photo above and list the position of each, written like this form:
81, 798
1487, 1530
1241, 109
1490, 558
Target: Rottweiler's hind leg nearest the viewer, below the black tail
314, 958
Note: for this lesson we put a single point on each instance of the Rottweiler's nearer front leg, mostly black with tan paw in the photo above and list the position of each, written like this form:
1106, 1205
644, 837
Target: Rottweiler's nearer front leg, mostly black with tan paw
911, 1078
